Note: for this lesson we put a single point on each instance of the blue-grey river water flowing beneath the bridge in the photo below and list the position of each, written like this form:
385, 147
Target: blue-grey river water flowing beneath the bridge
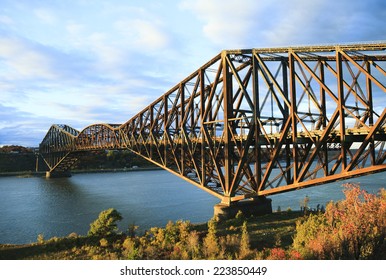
58, 207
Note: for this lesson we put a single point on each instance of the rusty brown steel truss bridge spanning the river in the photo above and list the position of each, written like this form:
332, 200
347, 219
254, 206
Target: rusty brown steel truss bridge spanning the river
257, 122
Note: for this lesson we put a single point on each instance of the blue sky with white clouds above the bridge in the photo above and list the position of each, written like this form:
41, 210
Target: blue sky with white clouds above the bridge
80, 62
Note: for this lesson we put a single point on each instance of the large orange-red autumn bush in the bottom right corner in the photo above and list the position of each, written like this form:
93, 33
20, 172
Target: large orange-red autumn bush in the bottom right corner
354, 228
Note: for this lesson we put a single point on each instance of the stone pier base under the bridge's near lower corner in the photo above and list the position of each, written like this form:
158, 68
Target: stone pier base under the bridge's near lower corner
256, 207
